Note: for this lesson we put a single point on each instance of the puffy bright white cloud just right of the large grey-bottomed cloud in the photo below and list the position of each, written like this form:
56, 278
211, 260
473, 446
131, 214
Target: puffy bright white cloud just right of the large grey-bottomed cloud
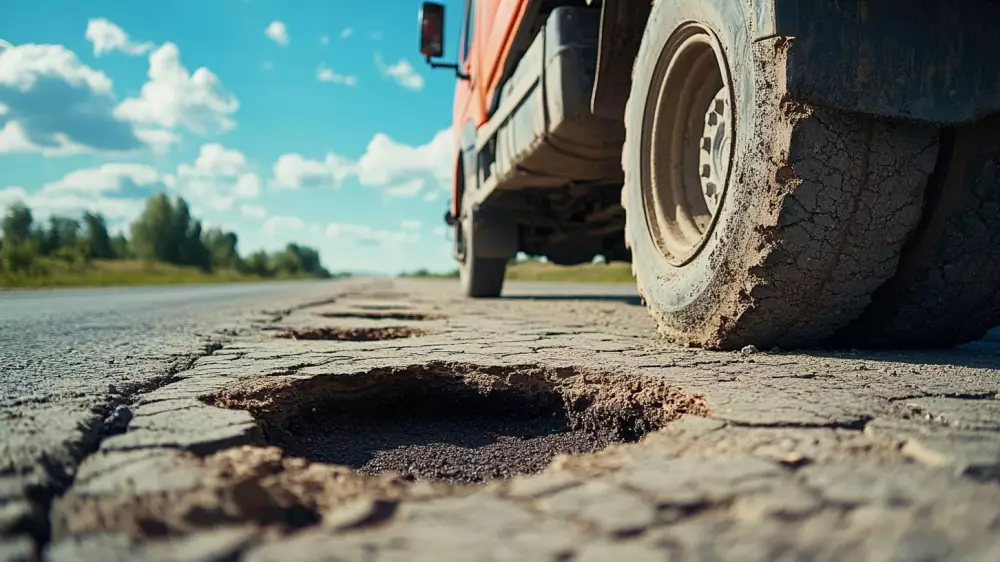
174, 98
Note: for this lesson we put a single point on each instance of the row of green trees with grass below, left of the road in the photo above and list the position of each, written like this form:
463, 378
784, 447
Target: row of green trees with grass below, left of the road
165, 233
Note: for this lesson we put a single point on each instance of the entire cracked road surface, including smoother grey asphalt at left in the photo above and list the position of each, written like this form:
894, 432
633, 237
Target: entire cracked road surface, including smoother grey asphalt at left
772, 455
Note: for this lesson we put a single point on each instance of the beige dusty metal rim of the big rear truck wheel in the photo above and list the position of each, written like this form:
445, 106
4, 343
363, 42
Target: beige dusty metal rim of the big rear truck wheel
686, 143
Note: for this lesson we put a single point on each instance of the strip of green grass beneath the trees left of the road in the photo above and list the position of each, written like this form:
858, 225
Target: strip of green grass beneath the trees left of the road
104, 273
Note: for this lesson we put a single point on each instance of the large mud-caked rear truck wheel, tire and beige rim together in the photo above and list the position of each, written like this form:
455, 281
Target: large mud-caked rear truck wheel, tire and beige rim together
804, 211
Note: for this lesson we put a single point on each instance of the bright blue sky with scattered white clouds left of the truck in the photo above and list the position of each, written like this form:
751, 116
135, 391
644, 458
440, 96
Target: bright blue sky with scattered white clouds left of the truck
310, 121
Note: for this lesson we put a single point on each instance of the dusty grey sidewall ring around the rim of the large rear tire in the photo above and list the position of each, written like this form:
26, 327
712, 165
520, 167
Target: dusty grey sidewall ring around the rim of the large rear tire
688, 297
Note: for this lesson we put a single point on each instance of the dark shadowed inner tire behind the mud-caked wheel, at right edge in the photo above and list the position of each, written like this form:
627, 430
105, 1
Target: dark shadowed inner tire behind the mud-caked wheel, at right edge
946, 290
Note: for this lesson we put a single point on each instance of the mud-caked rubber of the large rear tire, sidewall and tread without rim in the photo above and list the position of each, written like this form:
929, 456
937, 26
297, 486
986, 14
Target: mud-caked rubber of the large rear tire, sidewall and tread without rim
816, 212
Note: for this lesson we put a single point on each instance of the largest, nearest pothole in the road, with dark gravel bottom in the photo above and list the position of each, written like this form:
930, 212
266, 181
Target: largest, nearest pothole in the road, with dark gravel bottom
458, 423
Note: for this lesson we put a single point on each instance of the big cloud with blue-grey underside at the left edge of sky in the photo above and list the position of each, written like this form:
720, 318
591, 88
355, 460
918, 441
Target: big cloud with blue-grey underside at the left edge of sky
56, 105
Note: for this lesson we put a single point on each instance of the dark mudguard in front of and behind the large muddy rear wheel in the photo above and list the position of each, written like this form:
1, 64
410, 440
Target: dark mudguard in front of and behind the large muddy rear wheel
928, 61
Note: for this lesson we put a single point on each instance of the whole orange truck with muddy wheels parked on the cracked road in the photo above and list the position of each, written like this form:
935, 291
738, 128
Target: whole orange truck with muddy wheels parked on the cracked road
778, 172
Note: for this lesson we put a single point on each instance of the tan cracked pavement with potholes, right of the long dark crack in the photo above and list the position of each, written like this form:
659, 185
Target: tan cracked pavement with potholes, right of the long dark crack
760, 455
